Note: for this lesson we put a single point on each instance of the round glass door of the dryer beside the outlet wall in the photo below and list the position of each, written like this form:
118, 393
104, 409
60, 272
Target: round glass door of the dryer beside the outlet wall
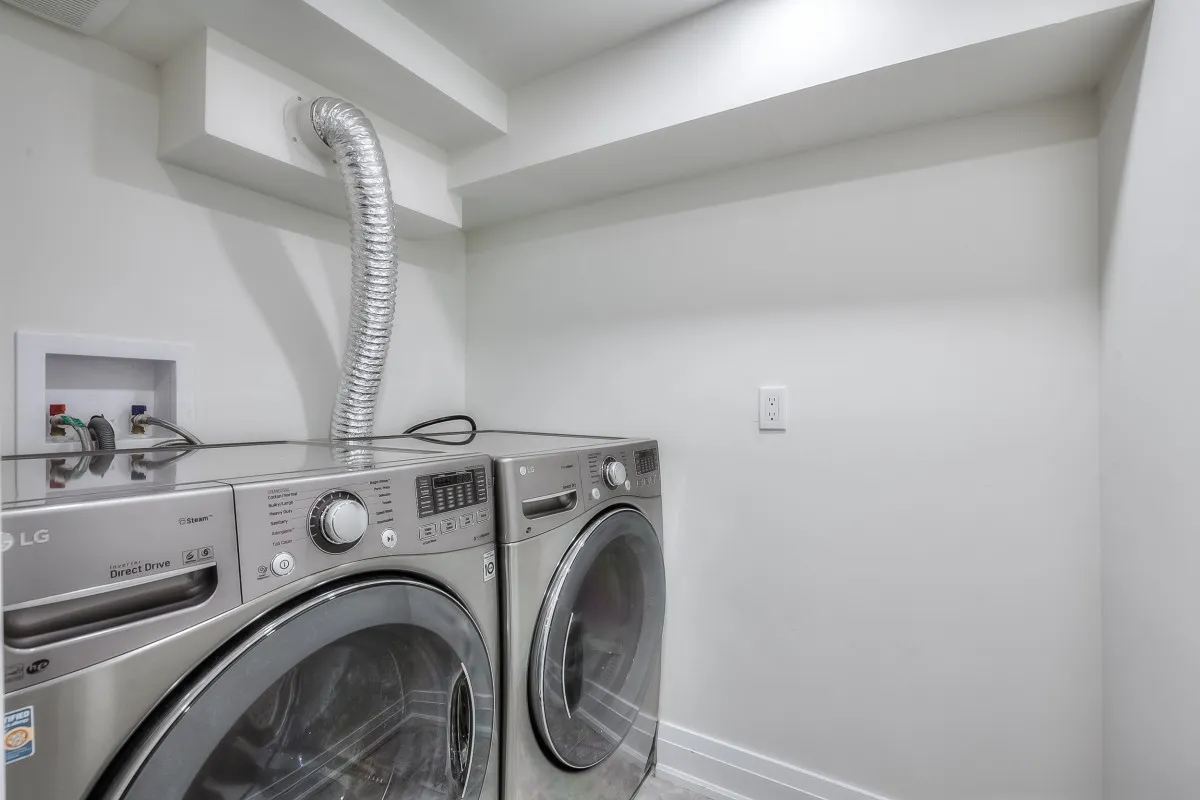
597, 639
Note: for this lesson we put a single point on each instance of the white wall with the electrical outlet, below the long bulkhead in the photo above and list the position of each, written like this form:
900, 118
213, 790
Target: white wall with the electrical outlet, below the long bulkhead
903, 591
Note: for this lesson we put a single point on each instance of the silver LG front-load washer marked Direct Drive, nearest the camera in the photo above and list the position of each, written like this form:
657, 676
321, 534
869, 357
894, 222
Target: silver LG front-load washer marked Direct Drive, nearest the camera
274, 622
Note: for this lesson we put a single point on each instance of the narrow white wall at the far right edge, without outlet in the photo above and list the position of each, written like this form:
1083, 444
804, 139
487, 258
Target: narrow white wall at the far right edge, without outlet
1150, 151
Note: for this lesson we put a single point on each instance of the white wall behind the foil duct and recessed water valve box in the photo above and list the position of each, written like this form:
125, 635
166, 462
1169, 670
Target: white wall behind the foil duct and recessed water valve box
100, 238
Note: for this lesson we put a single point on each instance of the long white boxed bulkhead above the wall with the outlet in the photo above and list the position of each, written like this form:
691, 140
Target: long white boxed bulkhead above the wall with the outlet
737, 86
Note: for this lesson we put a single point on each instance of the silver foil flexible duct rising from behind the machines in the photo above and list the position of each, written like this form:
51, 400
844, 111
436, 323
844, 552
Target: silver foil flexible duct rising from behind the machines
361, 161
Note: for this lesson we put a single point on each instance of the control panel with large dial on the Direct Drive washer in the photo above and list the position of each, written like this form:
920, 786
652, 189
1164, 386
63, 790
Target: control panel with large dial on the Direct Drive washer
290, 528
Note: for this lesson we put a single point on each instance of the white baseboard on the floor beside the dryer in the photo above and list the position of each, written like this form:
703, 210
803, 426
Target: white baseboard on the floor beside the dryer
724, 772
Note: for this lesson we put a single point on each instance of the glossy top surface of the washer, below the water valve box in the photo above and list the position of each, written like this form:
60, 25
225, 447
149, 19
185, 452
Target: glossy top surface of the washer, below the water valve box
45, 478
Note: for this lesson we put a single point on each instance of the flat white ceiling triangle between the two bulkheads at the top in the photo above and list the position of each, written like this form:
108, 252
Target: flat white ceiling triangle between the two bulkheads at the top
517, 41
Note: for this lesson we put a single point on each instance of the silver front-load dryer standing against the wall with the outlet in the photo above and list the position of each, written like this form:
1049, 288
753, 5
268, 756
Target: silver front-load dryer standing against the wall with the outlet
585, 600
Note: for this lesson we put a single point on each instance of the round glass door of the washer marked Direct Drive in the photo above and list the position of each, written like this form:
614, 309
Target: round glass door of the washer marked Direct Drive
371, 691
